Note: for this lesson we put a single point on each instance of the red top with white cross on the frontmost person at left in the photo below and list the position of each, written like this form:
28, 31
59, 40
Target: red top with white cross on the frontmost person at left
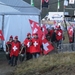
15, 49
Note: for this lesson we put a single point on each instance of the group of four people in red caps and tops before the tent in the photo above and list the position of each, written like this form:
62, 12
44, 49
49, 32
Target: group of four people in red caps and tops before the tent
32, 47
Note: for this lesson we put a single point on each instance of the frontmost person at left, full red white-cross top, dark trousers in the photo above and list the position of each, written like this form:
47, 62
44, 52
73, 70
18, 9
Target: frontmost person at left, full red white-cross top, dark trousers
15, 49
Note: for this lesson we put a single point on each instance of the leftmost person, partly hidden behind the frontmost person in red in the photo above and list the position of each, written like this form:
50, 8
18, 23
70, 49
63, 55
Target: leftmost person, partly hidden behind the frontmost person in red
8, 48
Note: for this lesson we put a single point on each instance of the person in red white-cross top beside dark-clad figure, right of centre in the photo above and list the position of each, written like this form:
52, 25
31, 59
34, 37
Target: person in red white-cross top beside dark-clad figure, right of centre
59, 36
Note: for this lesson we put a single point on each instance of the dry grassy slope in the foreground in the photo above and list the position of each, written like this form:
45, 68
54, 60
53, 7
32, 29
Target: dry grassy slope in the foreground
54, 64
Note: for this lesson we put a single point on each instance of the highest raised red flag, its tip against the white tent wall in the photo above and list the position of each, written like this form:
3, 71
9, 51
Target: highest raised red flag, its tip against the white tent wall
36, 28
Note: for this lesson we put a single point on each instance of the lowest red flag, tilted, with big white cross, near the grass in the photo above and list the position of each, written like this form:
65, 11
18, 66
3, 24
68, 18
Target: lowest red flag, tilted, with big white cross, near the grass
47, 46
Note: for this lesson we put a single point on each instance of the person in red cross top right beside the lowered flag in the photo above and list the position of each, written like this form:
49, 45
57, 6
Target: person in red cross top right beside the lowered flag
36, 46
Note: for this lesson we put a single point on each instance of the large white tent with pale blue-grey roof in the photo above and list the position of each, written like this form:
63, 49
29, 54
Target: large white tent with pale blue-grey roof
14, 18
